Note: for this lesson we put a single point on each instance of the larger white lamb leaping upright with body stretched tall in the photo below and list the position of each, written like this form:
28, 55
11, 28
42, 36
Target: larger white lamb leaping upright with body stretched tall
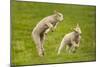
47, 24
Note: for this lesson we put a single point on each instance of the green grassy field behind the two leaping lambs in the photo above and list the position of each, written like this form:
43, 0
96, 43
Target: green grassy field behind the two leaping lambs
25, 15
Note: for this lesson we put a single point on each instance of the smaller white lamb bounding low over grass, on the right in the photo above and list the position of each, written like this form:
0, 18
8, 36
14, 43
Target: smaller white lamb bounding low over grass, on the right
71, 40
